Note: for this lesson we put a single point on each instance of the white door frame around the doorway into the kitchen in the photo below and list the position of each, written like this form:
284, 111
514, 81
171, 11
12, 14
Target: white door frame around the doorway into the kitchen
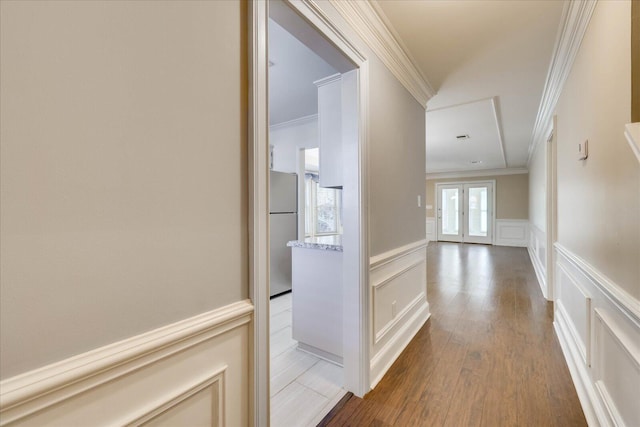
356, 255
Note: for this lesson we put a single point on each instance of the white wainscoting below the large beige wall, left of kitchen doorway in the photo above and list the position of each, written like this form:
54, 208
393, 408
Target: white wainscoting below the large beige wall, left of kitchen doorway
193, 372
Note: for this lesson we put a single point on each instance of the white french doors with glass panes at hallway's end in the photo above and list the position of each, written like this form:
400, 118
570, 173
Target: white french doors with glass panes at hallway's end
465, 212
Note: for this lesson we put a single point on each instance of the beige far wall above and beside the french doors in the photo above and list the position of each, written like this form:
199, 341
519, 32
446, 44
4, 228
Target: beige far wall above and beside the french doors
512, 194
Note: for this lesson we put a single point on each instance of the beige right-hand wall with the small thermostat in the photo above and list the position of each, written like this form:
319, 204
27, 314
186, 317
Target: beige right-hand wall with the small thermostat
599, 198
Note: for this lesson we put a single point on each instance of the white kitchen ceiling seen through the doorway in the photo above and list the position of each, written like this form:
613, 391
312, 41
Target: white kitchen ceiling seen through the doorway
292, 93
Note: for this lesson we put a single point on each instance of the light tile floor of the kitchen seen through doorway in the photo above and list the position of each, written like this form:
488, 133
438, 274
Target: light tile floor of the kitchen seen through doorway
304, 388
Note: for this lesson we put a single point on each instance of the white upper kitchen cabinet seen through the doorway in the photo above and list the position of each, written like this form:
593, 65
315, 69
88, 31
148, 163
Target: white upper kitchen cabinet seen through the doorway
330, 130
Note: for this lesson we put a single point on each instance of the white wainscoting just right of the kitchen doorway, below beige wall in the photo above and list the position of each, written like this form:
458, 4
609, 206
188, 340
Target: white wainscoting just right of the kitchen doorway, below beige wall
399, 303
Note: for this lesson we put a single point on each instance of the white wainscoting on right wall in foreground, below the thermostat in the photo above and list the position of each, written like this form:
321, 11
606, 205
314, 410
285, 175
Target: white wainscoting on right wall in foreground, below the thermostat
598, 326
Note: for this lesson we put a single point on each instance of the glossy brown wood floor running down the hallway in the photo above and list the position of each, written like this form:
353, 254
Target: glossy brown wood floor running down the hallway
488, 355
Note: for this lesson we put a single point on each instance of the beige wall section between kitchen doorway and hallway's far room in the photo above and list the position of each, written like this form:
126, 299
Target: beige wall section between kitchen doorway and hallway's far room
396, 162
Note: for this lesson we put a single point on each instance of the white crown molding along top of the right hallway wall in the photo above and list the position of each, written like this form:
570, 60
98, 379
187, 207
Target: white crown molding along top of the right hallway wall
573, 26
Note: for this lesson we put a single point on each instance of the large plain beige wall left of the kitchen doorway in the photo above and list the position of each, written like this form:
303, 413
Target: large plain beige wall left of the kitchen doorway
123, 171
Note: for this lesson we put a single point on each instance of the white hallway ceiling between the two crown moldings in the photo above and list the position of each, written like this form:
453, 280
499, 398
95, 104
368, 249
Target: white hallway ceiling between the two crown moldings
478, 50
